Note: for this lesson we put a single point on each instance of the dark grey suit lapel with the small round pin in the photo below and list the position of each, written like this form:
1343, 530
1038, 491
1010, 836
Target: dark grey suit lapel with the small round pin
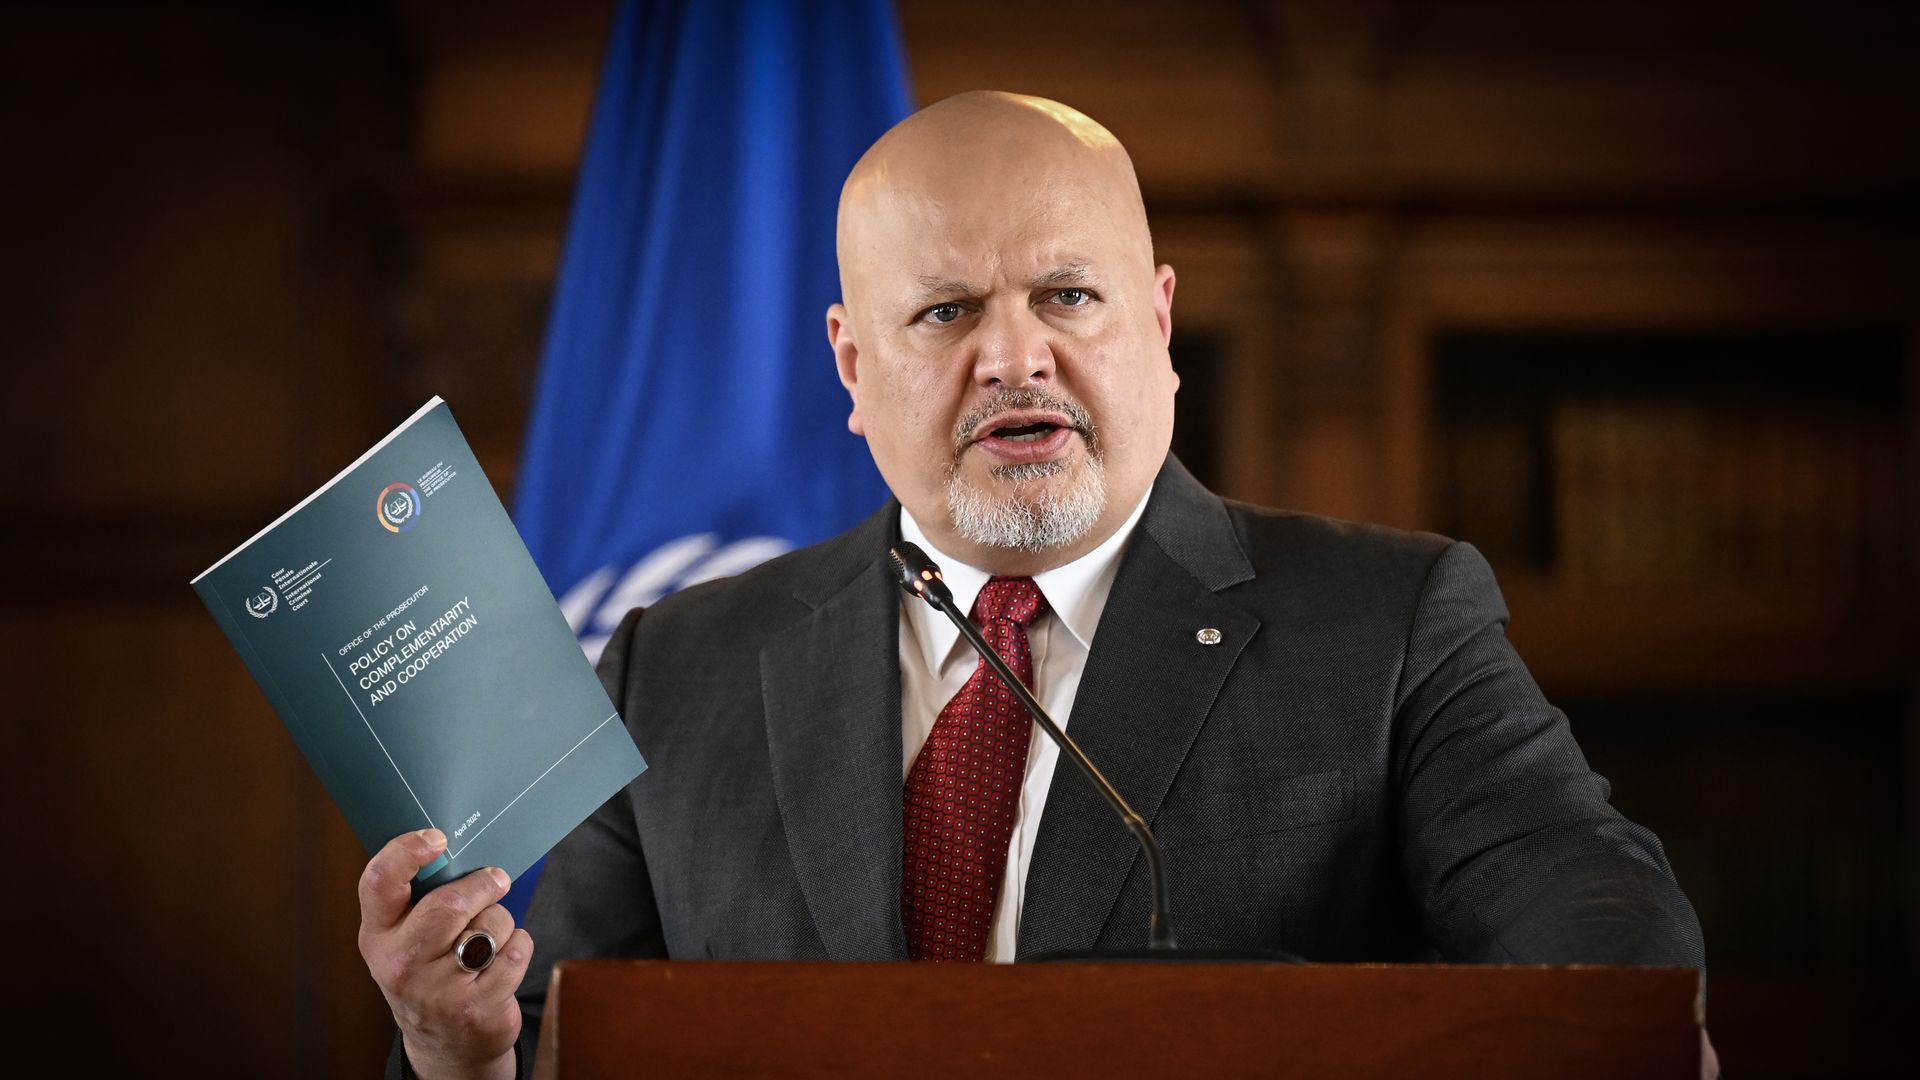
1141, 702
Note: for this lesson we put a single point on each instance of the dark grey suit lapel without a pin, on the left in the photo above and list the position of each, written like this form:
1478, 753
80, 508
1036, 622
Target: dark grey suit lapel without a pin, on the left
832, 689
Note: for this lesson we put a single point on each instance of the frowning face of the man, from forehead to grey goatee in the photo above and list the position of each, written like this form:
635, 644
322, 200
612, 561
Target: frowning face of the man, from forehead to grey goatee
1005, 343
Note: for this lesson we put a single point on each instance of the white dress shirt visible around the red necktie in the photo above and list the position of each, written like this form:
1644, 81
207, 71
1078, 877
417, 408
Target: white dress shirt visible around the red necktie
936, 664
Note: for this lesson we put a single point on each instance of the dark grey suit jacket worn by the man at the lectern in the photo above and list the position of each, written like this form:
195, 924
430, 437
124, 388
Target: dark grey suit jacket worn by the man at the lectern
1358, 772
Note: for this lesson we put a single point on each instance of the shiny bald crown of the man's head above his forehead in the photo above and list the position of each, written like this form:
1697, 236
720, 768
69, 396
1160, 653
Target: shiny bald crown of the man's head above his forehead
988, 147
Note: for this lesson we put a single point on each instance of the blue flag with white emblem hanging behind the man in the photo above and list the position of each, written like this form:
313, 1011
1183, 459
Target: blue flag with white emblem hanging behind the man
688, 422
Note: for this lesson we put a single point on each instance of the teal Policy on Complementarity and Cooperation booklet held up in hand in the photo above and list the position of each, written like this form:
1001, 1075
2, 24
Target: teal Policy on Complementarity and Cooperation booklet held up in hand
404, 635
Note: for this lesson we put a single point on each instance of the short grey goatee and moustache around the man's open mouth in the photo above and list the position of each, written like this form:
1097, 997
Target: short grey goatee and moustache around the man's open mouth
1022, 522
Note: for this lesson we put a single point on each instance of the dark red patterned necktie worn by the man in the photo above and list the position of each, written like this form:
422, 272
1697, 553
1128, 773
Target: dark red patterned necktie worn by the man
965, 789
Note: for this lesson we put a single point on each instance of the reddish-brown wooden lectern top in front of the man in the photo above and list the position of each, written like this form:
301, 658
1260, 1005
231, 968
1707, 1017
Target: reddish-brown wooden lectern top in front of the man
1116, 1019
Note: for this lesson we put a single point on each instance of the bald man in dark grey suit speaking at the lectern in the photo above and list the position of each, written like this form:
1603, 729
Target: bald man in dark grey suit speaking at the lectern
1324, 722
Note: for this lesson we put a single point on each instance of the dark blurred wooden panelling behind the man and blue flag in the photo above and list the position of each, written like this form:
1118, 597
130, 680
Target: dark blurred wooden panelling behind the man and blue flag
1623, 293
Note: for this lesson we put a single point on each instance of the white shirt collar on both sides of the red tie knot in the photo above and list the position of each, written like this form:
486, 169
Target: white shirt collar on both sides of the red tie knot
1074, 593
